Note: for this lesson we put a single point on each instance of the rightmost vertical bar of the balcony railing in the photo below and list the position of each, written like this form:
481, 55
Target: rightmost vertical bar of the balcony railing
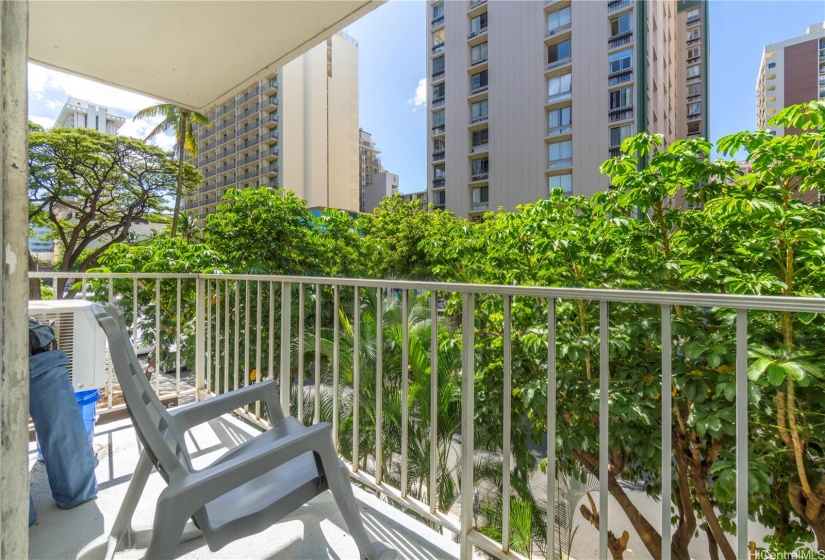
742, 433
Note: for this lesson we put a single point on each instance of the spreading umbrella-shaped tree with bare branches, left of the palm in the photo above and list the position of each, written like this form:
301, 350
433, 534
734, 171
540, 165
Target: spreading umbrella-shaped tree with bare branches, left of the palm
89, 187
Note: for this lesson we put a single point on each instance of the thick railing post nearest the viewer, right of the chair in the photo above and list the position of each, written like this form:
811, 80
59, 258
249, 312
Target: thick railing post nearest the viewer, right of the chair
467, 422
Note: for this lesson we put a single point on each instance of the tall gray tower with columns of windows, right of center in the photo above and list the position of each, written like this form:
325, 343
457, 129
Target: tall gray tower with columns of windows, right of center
526, 96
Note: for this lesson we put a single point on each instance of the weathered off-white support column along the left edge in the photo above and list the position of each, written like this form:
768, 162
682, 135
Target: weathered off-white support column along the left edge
14, 289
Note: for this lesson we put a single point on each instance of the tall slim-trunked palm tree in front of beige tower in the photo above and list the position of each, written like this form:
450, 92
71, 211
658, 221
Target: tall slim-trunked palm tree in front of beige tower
180, 122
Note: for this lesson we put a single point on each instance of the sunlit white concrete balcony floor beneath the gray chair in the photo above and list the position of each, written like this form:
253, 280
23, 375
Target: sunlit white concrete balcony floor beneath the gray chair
315, 531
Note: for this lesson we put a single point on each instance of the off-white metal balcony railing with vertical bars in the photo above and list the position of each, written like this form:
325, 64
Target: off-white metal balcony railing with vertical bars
236, 320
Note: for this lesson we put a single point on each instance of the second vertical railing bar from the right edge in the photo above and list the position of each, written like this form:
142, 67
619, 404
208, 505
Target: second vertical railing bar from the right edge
667, 429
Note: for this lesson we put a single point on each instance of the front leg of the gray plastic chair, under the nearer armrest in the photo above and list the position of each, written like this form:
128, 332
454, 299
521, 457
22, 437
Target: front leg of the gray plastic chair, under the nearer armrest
341, 489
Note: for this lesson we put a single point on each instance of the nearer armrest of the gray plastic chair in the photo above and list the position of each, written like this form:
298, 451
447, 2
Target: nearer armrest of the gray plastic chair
205, 485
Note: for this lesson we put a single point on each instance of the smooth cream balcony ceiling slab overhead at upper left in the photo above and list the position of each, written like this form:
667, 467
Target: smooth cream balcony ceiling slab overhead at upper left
188, 52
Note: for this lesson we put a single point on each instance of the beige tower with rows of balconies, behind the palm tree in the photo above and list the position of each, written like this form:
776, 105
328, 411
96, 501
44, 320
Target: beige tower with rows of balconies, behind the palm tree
296, 128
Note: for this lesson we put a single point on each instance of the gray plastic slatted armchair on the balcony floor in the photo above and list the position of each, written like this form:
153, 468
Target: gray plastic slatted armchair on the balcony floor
245, 491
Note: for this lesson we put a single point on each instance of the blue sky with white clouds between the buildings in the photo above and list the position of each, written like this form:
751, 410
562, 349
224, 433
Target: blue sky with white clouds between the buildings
392, 67
